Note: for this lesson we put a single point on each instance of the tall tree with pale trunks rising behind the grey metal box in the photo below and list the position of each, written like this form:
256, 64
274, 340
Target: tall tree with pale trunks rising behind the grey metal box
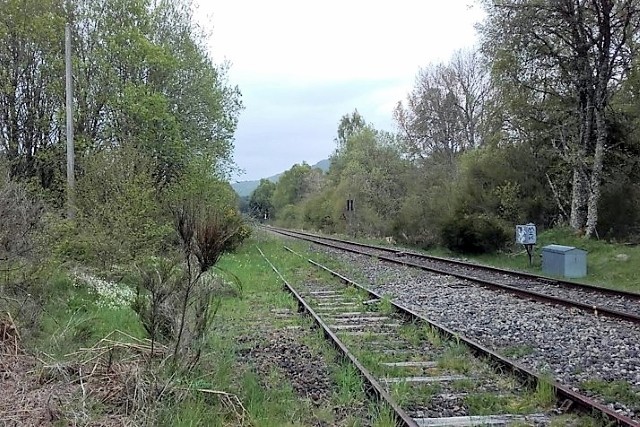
577, 51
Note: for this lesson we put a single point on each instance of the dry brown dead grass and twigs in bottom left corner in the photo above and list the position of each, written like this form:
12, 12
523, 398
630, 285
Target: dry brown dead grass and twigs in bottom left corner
117, 382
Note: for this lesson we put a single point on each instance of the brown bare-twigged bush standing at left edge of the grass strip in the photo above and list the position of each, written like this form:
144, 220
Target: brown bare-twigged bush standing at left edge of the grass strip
177, 301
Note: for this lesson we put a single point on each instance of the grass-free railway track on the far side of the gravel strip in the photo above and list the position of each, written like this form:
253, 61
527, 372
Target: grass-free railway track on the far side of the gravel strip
597, 300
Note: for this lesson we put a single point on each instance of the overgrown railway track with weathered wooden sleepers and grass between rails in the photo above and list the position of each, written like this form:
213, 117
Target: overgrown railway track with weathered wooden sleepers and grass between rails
428, 374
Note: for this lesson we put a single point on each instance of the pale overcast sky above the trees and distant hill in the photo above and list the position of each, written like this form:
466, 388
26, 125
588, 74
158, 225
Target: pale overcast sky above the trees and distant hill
301, 65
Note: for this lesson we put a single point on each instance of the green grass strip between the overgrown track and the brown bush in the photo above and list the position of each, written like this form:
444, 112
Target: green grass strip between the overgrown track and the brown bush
269, 400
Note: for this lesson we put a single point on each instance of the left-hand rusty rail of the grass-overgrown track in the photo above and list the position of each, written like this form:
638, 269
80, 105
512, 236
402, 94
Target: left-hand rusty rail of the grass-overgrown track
375, 388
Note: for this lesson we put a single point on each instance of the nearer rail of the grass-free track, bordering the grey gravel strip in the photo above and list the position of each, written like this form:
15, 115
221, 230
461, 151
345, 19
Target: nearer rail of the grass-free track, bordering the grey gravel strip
595, 309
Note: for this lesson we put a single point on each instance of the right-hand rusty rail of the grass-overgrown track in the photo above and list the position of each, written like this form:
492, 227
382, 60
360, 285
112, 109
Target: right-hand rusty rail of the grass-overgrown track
585, 403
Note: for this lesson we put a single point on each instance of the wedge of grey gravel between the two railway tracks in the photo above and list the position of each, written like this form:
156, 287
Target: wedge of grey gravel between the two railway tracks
572, 345
